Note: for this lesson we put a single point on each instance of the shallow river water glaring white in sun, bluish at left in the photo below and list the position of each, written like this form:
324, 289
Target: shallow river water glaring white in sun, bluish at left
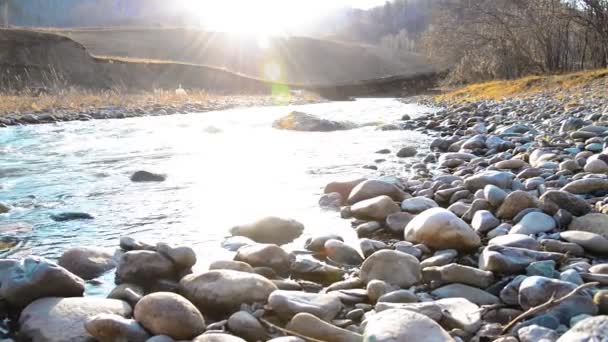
224, 168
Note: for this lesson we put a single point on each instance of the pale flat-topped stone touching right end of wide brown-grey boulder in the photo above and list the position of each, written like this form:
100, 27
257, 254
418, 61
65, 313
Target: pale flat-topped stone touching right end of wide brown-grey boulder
287, 304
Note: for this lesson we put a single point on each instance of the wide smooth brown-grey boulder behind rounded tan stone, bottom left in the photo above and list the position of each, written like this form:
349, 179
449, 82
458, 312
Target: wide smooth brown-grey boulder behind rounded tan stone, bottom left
223, 291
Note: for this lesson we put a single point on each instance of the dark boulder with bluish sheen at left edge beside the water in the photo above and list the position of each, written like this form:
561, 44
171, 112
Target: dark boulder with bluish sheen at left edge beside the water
31, 278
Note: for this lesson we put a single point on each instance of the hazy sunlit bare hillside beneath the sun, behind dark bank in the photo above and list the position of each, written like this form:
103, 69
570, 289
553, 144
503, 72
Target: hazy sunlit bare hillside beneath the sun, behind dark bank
302, 60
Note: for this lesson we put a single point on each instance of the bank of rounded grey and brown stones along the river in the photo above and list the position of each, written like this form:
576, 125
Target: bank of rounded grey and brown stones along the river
500, 233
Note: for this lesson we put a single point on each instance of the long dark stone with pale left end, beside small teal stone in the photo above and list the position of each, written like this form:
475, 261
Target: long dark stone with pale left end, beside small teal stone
511, 260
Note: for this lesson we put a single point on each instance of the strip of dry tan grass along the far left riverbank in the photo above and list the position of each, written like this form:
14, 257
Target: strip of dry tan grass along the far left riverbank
79, 100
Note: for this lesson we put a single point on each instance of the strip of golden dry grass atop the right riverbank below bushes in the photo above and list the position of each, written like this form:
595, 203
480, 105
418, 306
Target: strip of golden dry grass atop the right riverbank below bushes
497, 90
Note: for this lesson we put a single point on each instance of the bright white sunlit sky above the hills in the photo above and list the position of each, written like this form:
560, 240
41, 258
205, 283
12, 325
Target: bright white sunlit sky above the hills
266, 17
